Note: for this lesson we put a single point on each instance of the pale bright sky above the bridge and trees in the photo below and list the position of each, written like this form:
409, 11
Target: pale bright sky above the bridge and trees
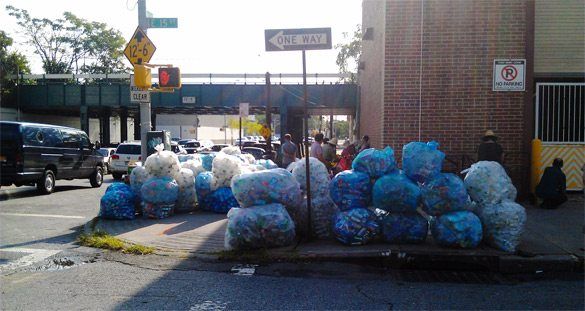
214, 36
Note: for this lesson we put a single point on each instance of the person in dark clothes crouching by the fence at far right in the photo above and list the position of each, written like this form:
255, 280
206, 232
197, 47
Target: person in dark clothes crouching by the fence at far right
553, 185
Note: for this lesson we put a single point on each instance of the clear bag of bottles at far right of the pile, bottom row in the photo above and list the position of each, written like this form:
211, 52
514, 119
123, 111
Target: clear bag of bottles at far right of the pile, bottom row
503, 224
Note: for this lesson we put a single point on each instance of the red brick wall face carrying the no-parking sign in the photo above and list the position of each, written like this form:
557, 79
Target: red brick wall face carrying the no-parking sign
461, 38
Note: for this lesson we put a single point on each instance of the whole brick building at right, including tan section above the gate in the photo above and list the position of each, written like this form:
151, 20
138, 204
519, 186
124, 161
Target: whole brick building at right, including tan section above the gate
426, 73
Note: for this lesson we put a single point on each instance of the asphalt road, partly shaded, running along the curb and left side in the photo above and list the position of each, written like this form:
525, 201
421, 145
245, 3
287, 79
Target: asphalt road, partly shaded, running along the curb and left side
41, 268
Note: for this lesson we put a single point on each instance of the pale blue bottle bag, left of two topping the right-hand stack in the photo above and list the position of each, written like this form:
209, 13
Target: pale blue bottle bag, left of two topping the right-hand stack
375, 162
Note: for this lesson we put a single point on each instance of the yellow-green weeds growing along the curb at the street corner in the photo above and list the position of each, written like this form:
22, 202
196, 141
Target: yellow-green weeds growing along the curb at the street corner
102, 239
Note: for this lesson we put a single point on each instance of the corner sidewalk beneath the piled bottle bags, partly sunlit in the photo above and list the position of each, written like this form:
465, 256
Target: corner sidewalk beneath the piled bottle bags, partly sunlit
553, 241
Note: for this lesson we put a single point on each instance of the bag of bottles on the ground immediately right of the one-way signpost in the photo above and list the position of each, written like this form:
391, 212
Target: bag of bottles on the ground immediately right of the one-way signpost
323, 210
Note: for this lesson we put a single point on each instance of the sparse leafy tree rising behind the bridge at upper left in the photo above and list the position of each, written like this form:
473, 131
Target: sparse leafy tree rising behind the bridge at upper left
72, 44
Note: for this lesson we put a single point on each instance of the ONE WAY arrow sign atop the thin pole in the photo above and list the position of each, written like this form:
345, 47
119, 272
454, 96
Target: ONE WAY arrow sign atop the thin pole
297, 39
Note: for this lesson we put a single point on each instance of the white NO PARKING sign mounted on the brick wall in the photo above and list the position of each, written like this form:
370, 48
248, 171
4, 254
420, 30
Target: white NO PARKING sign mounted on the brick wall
509, 75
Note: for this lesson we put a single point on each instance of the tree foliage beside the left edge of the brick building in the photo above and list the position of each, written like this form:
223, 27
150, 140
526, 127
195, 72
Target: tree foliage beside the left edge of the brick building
348, 56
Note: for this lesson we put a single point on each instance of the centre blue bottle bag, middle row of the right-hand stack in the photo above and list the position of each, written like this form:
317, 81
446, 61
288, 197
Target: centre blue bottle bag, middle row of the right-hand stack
395, 193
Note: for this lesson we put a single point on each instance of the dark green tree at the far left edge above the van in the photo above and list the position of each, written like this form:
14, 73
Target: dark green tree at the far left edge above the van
11, 63
